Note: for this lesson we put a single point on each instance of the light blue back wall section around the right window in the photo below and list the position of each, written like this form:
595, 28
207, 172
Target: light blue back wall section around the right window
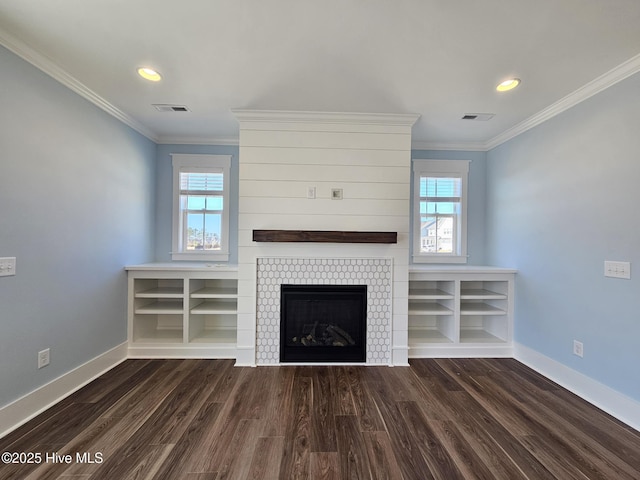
475, 197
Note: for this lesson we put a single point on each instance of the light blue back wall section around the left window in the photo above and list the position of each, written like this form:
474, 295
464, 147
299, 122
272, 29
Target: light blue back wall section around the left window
164, 198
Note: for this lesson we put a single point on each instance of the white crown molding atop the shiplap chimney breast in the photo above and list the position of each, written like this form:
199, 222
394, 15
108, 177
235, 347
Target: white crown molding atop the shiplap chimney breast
400, 119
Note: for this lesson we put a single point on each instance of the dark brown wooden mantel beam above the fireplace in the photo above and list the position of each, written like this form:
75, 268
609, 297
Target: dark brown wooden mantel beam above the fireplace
324, 236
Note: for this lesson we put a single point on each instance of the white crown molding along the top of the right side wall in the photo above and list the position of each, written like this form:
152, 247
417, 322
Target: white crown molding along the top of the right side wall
613, 76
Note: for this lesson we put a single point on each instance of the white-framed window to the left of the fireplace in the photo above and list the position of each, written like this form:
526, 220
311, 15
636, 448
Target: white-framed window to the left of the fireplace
201, 207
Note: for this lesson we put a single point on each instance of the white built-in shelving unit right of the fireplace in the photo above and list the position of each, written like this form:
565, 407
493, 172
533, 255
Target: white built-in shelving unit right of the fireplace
460, 311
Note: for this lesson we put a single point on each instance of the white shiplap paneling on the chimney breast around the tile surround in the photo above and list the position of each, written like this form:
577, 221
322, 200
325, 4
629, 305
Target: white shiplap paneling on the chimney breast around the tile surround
282, 154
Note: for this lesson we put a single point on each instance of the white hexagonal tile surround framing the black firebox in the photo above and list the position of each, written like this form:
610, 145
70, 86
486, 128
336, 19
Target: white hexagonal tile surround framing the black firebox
375, 273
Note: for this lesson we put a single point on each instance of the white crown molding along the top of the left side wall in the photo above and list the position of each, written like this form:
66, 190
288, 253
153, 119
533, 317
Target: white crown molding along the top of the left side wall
44, 64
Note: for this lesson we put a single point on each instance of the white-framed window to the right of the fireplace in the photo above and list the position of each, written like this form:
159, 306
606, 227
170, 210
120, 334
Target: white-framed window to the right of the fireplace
439, 211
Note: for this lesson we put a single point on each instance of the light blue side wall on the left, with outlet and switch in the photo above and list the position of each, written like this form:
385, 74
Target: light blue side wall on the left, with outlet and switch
76, 205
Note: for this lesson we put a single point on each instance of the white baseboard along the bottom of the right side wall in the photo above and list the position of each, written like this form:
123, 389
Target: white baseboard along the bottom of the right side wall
616, 404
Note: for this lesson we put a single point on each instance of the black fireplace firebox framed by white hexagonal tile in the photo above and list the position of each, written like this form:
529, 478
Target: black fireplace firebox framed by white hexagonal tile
323, 323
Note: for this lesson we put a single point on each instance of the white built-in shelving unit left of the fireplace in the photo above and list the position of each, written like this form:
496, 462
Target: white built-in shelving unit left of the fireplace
183, 310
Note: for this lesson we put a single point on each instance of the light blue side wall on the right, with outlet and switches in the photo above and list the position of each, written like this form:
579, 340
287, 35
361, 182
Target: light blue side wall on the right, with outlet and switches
561, 199
